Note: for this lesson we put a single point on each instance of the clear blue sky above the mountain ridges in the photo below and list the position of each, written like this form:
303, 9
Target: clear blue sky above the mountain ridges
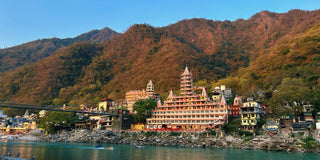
26, 20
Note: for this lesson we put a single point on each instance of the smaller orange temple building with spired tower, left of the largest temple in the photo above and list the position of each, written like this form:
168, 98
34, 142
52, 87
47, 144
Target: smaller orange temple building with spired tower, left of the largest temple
135, 95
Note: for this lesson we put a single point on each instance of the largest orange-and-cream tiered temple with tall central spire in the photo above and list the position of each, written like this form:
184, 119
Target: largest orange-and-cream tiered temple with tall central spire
188, 111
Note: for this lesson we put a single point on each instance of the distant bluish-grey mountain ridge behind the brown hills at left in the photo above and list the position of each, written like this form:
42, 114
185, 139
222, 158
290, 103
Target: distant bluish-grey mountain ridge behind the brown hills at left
33, 51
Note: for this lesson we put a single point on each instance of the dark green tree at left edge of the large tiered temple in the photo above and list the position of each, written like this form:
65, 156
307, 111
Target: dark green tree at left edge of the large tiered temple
144, 110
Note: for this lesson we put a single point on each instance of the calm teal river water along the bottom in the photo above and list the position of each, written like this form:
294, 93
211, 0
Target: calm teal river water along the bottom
66, 151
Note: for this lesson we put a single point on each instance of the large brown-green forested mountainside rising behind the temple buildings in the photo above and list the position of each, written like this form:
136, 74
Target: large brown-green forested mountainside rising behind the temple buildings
260, 55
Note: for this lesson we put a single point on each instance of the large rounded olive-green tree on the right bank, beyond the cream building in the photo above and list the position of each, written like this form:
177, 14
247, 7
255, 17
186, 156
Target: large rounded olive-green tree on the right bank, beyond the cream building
292, 92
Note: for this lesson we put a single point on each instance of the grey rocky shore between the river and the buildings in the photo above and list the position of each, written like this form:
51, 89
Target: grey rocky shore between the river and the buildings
175, 139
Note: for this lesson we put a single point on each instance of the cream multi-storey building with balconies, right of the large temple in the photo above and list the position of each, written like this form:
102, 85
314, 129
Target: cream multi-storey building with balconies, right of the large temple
251, 113
